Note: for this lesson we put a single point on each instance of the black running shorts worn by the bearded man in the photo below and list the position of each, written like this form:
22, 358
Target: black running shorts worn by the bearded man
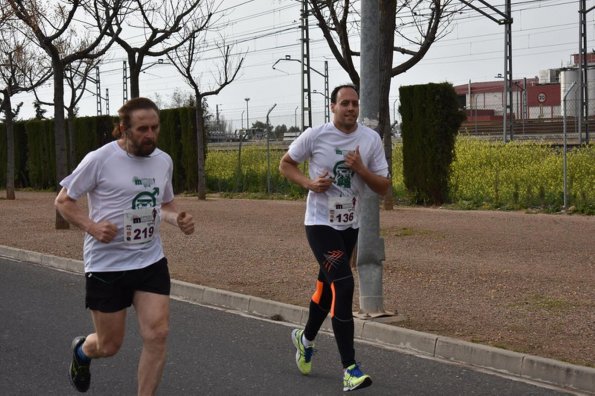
114, 291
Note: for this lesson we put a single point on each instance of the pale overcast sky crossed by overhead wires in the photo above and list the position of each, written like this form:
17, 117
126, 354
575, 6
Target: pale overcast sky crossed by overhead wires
545, 35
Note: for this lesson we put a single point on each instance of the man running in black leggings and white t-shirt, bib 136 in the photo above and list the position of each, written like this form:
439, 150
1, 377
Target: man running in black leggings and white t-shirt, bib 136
343, 157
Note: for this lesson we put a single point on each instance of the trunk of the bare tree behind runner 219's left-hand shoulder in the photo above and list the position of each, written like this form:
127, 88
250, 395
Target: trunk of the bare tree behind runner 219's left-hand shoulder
59, 135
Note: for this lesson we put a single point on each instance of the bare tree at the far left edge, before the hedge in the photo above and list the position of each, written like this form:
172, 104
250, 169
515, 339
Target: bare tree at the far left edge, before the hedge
22, 69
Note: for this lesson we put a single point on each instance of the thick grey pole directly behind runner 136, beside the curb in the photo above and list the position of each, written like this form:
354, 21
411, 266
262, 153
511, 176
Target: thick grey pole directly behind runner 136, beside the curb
370, 249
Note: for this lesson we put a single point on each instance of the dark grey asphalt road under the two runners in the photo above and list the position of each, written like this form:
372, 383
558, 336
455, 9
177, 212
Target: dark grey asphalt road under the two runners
211, 352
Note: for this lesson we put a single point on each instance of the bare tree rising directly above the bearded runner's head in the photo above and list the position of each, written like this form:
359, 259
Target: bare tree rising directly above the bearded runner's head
164, 25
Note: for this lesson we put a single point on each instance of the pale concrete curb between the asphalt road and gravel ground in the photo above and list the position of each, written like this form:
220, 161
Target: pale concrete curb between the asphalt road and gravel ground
549, 371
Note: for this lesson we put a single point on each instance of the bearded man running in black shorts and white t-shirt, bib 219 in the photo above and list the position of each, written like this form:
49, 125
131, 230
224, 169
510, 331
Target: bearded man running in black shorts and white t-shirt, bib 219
128, 184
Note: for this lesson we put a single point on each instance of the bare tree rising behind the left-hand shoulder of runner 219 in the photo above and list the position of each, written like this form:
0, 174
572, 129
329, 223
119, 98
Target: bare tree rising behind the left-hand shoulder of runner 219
52, 24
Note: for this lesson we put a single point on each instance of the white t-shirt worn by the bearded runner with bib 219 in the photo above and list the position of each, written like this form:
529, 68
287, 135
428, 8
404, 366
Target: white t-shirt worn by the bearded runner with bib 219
127, 191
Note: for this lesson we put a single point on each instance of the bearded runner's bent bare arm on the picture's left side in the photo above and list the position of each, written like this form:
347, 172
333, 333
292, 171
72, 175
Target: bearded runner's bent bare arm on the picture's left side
69, 209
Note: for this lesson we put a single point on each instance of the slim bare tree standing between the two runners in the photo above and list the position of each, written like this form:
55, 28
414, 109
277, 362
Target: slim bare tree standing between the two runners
185, 59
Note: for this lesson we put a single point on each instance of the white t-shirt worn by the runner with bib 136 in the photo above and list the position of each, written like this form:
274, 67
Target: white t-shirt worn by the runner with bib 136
325, 147
